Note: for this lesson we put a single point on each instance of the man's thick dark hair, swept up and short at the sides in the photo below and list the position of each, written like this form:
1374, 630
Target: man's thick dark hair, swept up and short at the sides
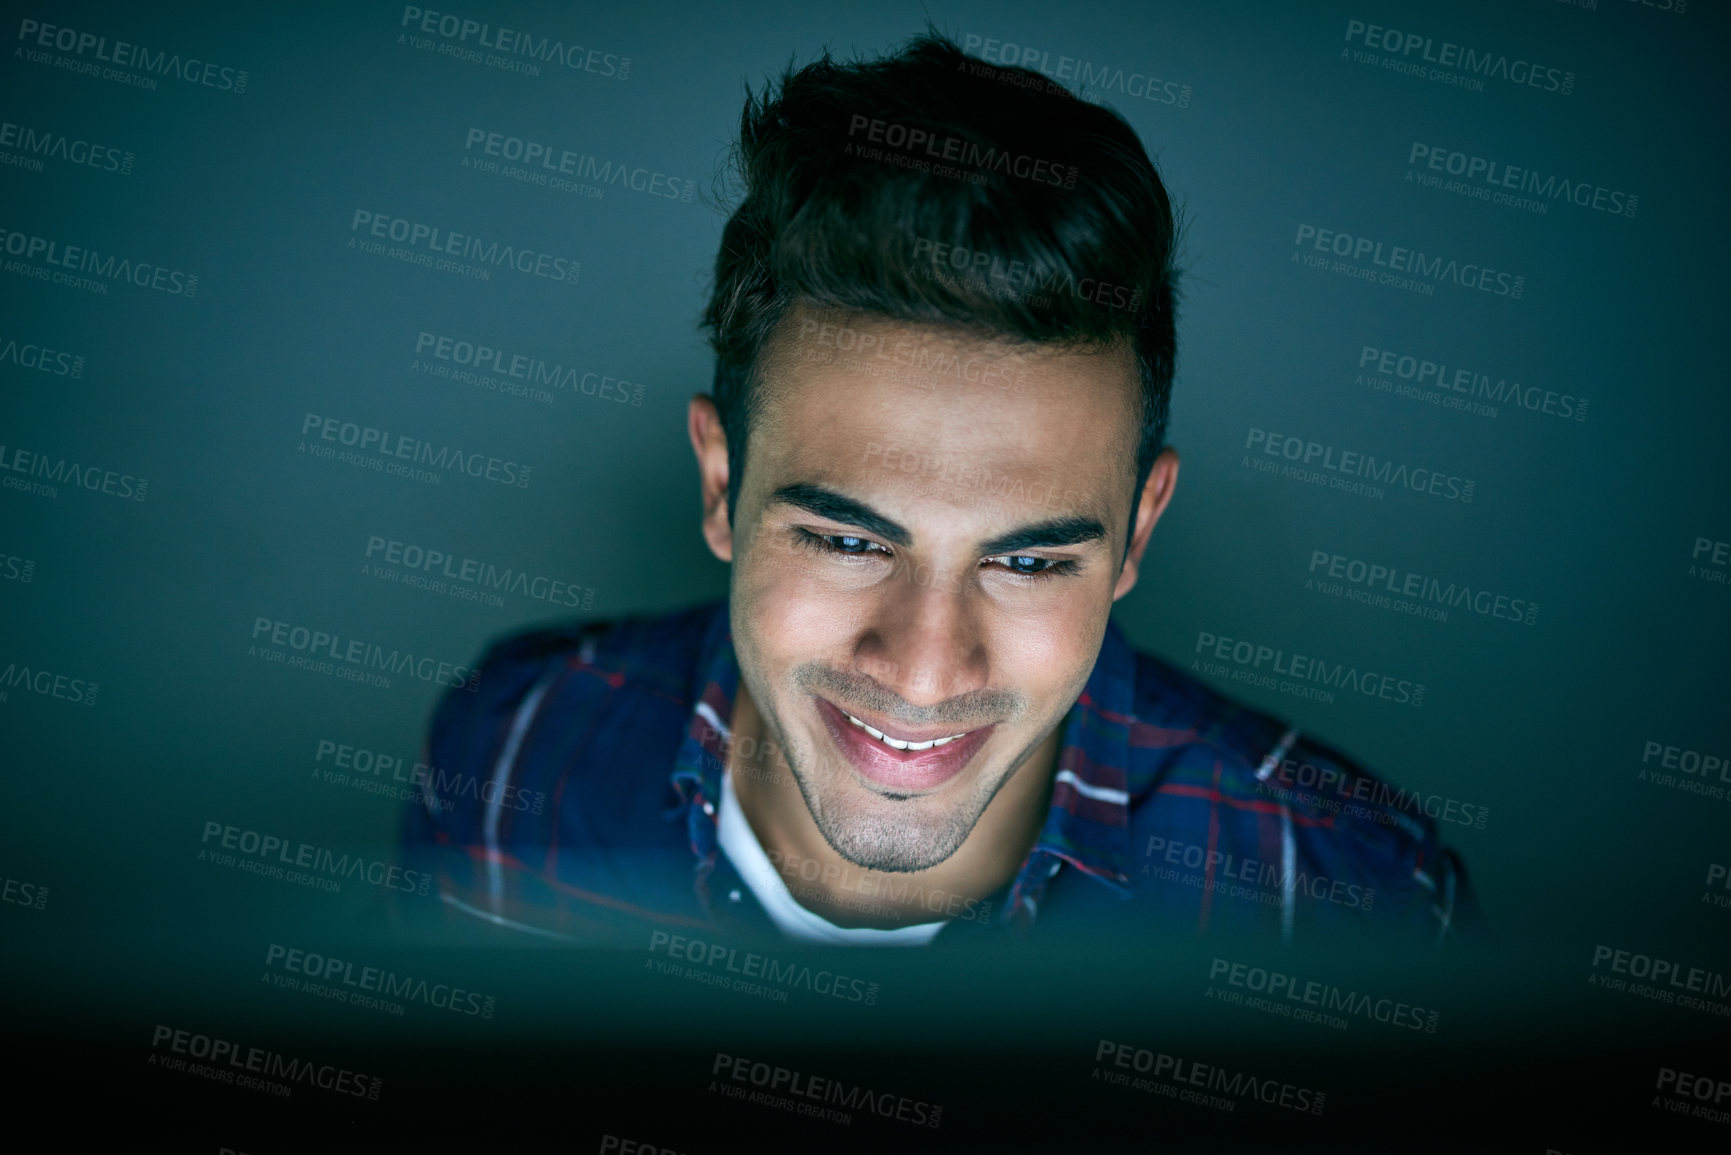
1041, 216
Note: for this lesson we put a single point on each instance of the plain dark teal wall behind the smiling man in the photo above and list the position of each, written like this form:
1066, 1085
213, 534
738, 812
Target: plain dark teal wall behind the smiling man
1540, 725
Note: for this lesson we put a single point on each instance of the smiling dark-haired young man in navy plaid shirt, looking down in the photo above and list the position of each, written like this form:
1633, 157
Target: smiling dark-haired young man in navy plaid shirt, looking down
944, 332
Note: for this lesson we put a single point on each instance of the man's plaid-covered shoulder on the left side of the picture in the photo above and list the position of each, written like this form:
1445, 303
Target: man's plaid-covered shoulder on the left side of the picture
544, 784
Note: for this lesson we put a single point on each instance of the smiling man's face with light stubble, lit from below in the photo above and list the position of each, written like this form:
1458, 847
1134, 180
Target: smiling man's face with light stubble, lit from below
927, 548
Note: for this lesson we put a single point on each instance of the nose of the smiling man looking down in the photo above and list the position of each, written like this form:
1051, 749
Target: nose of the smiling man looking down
925, 640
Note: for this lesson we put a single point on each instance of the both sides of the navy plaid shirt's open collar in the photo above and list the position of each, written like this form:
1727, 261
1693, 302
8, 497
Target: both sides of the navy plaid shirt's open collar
1088, 823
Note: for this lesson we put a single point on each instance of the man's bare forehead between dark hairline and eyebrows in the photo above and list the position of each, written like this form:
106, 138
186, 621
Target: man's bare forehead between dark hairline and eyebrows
889, 406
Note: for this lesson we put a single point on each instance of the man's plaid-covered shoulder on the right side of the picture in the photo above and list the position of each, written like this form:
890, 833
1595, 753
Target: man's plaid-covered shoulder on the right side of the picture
1278, 815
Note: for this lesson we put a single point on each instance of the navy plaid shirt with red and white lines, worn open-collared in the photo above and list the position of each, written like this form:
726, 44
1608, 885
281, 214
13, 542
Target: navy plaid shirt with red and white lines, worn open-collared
574, 794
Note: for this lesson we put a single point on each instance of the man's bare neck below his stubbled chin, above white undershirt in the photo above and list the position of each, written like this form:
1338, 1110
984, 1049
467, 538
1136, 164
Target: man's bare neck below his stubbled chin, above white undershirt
854, 896
